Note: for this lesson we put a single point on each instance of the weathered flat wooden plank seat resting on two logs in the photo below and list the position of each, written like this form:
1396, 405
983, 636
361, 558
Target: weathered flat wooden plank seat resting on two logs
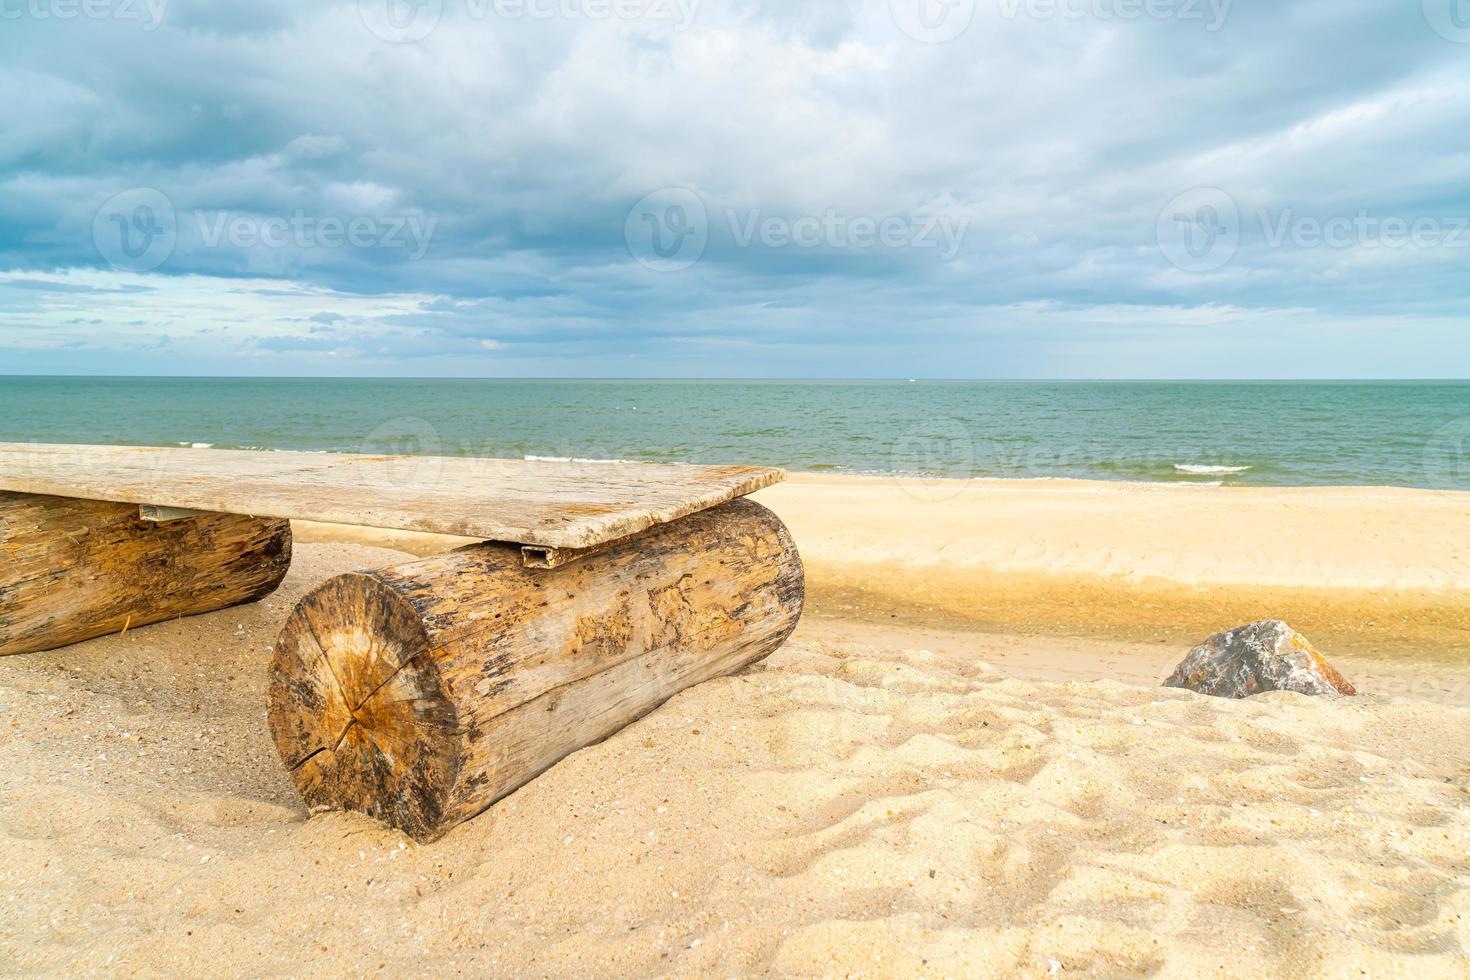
524, 502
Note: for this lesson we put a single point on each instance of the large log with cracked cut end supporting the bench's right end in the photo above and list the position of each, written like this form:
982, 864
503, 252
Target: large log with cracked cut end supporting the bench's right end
426, 693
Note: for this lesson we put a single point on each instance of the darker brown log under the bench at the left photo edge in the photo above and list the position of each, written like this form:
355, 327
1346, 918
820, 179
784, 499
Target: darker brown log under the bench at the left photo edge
76, 569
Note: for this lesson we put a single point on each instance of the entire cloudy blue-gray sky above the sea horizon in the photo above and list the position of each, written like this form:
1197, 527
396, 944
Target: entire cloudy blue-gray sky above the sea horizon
740, 189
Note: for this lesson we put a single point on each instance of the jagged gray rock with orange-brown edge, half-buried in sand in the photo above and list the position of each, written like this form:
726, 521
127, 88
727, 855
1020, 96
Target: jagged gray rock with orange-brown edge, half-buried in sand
1250, 660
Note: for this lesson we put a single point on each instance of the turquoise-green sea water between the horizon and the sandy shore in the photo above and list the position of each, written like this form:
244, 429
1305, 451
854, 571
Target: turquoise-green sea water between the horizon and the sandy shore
1406, 434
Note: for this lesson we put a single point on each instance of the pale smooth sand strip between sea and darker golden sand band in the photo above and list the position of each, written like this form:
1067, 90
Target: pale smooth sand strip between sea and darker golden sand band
1338, 538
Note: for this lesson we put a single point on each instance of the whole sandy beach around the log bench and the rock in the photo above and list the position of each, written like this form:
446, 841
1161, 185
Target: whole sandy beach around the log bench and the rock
962, 763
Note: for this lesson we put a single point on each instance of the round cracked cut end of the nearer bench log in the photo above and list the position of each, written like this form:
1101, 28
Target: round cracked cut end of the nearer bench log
358, 710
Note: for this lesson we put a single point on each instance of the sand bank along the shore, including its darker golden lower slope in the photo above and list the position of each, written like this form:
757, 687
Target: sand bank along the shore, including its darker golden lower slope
1380, 574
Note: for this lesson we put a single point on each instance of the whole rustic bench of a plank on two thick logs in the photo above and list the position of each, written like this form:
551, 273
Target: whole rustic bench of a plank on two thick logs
424, 693
